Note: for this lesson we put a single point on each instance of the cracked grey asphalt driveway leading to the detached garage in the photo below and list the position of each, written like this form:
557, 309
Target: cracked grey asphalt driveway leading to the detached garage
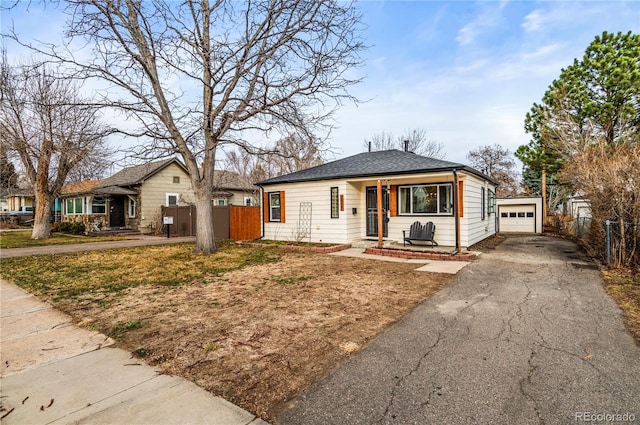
524, 335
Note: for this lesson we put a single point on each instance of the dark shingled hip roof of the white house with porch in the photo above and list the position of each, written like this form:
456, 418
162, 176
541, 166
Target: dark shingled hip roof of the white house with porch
370, 164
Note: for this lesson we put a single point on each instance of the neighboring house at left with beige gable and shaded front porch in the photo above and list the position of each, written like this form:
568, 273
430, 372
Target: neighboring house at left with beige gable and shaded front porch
130, 199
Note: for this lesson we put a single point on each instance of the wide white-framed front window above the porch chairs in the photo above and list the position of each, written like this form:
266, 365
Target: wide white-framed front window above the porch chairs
426, 199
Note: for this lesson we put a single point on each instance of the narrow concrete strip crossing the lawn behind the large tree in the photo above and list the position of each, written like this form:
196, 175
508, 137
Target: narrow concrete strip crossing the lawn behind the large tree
93, 246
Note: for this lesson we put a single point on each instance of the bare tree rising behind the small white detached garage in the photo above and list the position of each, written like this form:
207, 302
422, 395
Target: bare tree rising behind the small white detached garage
499, 164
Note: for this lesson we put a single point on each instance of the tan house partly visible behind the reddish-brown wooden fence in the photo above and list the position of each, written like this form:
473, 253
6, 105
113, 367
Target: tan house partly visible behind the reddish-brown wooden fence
231, 188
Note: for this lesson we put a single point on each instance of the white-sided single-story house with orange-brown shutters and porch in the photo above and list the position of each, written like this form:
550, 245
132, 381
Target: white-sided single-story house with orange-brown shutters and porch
337, 202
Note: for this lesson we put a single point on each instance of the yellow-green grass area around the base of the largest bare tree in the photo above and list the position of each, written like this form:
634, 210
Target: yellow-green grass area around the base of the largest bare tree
65, 276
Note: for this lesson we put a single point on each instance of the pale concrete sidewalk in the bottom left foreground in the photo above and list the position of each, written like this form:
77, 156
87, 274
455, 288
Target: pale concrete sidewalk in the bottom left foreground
54, 372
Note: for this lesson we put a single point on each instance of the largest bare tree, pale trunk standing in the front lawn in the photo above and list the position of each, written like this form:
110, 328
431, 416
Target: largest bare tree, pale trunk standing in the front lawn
197, 75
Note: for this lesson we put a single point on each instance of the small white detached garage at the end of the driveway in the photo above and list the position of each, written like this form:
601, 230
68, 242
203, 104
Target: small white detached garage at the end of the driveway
519, 215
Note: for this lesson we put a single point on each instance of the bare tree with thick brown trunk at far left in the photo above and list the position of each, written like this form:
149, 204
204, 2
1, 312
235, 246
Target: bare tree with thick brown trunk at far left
50, 127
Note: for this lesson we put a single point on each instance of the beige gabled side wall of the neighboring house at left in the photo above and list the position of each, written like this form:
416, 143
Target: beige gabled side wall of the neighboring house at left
153, 194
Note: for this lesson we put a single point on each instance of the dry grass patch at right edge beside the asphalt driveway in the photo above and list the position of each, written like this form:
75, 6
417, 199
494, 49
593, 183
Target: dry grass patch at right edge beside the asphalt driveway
624, 287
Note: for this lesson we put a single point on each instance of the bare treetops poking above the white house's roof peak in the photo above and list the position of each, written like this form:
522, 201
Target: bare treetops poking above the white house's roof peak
416, 139
